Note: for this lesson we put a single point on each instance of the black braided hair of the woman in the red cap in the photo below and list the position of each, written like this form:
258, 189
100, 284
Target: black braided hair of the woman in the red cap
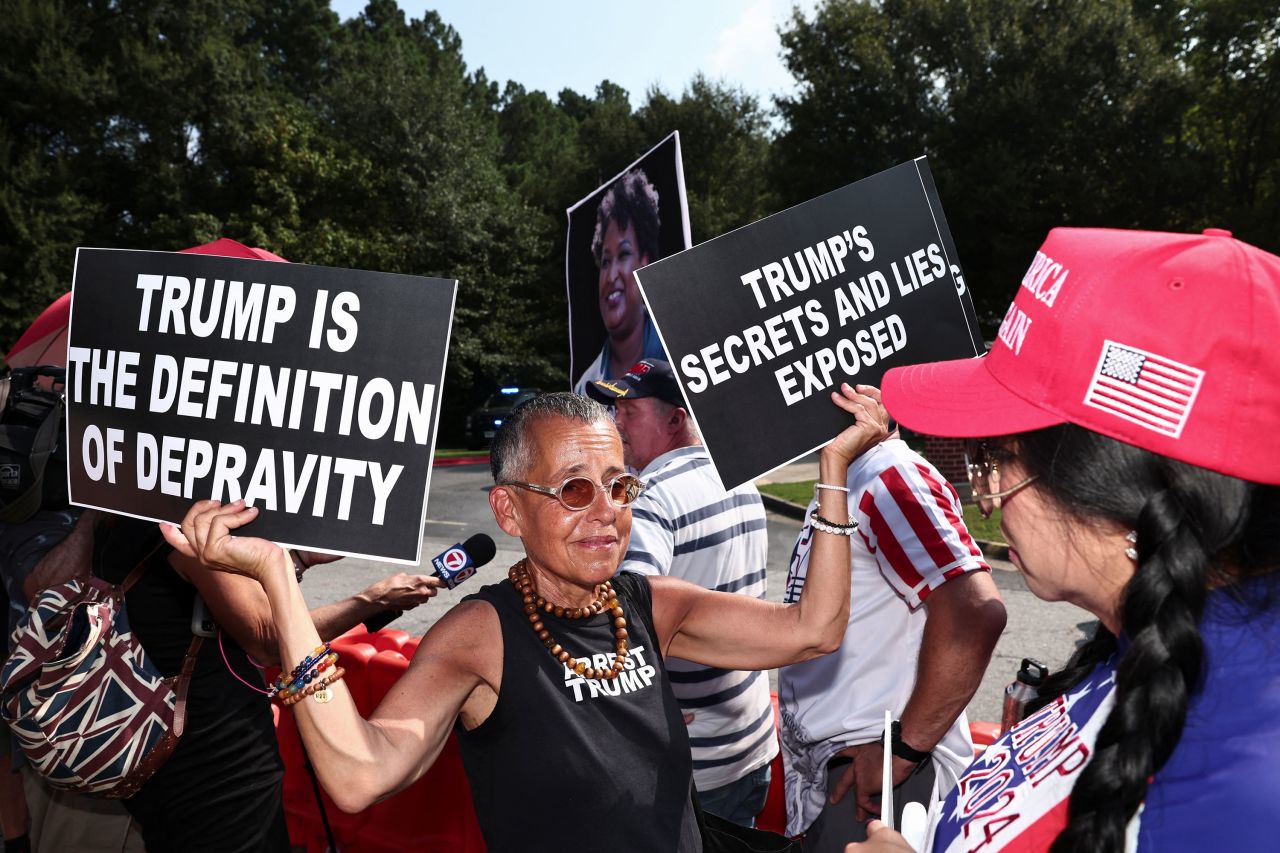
1195, 528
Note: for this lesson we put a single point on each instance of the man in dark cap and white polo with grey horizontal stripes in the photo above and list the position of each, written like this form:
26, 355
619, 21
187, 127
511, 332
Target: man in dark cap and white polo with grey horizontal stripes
687, 526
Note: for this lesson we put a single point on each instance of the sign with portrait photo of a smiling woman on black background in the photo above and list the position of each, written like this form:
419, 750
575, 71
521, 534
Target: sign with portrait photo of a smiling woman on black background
636, 218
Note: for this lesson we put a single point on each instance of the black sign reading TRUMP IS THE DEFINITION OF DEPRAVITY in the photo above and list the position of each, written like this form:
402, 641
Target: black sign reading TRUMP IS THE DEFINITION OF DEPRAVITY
310, 393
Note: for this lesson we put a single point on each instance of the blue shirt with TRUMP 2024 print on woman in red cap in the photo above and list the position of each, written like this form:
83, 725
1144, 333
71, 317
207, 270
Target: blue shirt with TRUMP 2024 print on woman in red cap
1218, 792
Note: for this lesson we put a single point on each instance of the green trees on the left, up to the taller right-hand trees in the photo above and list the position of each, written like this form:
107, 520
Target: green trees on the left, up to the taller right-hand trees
364, 144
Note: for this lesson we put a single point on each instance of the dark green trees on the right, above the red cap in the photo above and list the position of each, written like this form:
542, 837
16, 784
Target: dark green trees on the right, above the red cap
1037, 113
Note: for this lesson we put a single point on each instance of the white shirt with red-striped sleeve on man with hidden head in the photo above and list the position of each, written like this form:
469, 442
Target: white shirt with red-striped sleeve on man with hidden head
911, 541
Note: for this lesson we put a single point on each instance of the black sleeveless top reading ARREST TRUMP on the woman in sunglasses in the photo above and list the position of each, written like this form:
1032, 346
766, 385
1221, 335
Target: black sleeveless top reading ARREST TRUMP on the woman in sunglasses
569, 764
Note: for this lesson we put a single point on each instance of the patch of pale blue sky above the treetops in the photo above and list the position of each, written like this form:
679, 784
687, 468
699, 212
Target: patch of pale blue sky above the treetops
570, 44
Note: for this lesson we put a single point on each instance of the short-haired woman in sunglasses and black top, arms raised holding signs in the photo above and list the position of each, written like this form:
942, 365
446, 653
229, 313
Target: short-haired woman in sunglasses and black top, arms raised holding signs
554, 681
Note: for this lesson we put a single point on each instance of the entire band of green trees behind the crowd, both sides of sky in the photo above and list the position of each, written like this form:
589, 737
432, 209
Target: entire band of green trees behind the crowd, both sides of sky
371, 144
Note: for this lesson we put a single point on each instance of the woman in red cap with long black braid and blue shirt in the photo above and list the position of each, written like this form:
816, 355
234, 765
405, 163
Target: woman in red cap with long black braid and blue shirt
1124, 426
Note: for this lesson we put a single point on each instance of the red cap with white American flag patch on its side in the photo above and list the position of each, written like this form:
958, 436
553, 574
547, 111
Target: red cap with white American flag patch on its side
1169, 343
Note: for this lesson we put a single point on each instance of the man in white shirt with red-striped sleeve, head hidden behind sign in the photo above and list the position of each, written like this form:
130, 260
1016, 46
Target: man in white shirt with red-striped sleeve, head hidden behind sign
924, 621
